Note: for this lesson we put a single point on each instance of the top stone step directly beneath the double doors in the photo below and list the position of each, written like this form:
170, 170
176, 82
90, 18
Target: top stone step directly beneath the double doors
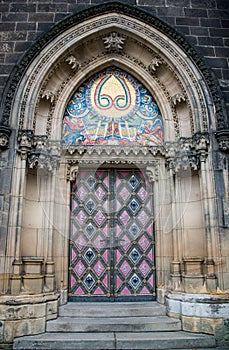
112, 309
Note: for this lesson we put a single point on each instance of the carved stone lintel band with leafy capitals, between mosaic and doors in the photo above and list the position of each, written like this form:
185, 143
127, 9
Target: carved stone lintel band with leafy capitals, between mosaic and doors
42, 153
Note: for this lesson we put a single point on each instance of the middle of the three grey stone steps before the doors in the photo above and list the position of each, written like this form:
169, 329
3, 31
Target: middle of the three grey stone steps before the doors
114, 324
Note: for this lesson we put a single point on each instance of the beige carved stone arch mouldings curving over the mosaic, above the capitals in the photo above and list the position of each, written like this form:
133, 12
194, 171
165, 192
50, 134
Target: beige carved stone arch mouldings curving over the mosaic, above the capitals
120, 41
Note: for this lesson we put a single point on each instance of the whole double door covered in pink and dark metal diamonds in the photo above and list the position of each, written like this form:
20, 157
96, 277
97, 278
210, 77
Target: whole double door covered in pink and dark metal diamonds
112, 238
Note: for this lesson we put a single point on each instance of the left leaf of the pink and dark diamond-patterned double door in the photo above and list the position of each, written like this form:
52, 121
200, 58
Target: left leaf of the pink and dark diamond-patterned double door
90, 254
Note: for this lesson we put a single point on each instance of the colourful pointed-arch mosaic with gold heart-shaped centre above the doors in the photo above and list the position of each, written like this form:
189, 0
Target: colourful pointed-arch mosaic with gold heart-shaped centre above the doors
112, 108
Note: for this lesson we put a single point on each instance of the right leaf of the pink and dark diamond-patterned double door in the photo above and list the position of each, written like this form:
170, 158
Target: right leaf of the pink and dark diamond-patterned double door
134, 268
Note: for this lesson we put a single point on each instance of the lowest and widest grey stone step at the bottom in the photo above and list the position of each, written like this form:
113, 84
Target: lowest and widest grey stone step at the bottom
115, 341
